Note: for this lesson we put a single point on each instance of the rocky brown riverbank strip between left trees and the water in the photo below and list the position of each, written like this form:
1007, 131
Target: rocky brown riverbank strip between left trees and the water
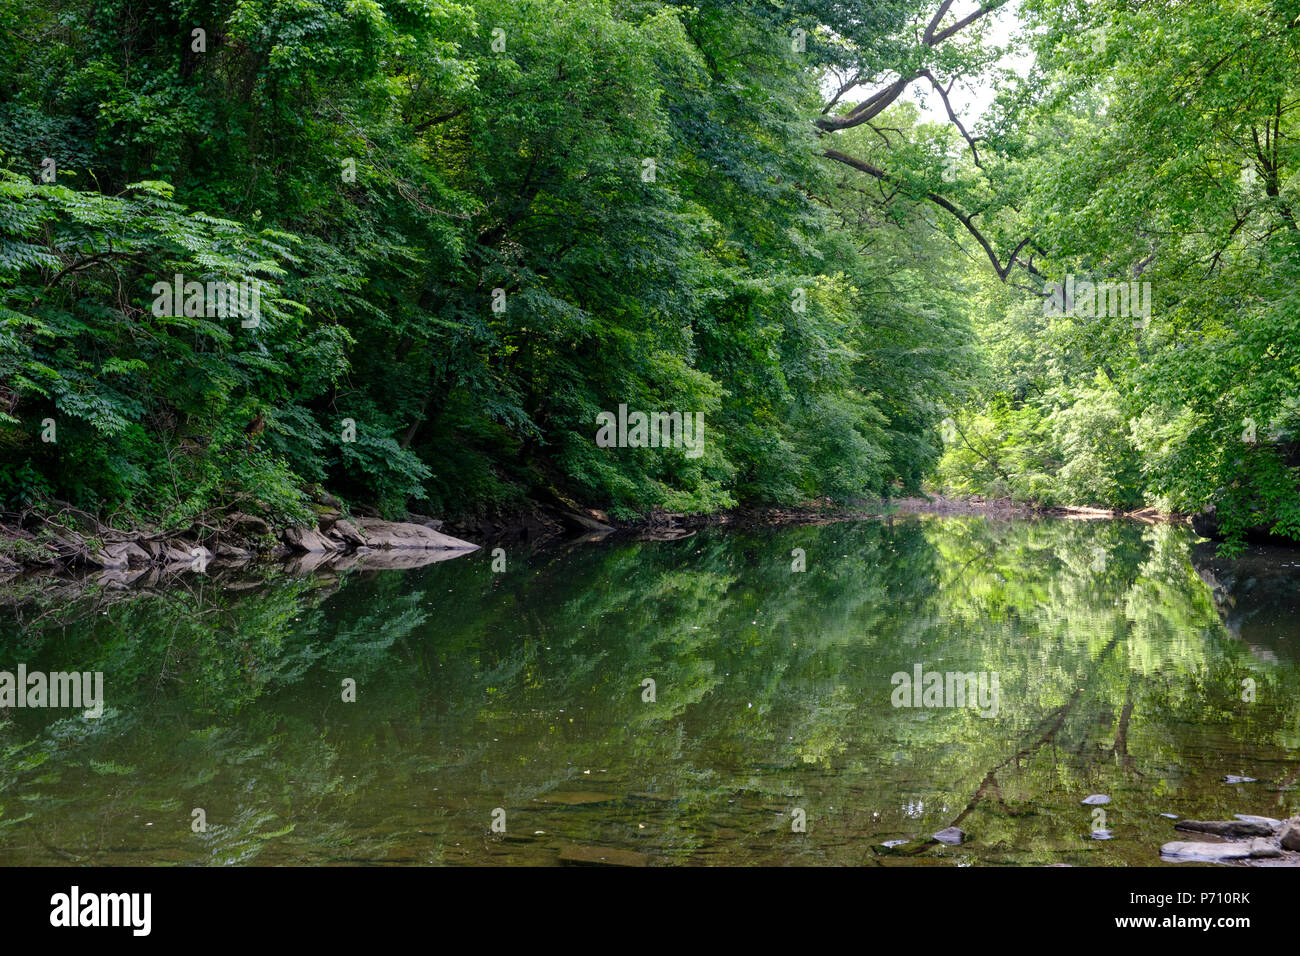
71, 542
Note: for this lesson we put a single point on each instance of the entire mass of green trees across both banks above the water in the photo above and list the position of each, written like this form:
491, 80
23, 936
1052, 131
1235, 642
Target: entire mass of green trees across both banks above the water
479, 226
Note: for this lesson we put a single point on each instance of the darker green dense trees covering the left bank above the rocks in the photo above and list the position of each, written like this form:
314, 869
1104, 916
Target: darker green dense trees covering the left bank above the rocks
478, 226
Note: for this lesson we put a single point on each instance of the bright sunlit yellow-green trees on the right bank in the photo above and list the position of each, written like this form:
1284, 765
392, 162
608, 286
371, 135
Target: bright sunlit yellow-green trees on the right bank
1149, 145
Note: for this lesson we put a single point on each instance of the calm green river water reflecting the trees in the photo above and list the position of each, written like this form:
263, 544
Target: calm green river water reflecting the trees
521, 698
